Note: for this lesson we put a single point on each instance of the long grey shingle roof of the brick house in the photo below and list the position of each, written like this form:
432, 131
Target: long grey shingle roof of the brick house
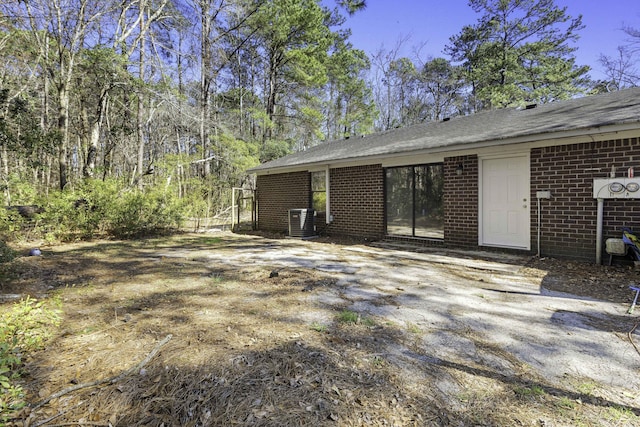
496, 127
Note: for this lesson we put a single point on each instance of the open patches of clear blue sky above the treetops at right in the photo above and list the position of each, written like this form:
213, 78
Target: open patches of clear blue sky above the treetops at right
431, 22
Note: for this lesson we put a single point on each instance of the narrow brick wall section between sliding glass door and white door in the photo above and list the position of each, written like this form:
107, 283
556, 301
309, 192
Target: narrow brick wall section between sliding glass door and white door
461, 202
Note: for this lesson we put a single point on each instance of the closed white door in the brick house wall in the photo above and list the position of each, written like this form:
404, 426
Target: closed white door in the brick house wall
505, 203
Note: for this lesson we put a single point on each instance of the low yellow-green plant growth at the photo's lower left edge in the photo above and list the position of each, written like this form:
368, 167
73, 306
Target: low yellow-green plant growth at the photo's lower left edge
26, 327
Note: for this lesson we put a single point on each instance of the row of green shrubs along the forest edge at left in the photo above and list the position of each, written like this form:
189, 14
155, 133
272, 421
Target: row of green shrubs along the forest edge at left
98, 208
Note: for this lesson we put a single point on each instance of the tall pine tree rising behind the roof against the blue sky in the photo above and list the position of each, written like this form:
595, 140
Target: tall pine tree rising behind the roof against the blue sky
519, 52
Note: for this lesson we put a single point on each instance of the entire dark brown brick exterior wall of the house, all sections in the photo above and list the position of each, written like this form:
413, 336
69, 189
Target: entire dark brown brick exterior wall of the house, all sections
568, 224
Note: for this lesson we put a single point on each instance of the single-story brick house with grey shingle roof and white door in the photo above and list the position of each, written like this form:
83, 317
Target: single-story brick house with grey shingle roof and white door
515, 179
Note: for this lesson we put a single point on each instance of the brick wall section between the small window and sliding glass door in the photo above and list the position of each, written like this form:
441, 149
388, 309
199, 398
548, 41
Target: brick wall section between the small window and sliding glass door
357, 201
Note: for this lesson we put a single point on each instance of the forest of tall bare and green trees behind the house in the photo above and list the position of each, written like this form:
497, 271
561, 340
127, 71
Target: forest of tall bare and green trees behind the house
124, 117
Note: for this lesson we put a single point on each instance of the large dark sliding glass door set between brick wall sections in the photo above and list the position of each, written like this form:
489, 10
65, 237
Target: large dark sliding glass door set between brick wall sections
414, 203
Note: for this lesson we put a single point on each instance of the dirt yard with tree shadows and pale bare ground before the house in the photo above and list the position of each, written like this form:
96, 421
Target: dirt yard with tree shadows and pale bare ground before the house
220, 329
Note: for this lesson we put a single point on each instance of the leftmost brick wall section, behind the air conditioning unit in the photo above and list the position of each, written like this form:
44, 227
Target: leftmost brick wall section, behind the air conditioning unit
276, 194
